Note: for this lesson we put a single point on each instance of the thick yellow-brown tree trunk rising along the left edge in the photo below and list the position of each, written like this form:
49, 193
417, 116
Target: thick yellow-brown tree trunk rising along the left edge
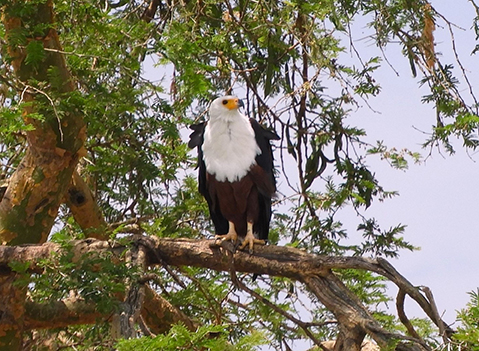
30, 204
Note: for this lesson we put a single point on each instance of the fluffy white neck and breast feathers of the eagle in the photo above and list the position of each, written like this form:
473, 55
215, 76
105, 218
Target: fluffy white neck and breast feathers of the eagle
229, 146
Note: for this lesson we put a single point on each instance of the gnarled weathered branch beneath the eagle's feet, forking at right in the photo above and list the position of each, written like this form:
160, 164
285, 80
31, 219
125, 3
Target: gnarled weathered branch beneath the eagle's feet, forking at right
313, 270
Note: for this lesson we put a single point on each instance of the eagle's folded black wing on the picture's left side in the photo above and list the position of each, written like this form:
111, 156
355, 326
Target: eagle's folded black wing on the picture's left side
196, 140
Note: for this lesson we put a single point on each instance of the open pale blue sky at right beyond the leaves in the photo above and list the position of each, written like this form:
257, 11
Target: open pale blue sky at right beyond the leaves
438, 198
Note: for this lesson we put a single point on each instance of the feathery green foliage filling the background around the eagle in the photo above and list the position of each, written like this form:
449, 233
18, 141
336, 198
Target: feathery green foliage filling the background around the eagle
287, 59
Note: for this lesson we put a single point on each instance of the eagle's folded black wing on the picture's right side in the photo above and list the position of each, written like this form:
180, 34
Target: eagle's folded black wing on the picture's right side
268, 188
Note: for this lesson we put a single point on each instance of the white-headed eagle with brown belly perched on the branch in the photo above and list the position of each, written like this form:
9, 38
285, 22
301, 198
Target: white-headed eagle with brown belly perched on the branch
236, 175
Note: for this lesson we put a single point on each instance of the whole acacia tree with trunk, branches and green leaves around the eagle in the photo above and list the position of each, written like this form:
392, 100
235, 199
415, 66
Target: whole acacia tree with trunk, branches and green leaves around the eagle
96, 174
